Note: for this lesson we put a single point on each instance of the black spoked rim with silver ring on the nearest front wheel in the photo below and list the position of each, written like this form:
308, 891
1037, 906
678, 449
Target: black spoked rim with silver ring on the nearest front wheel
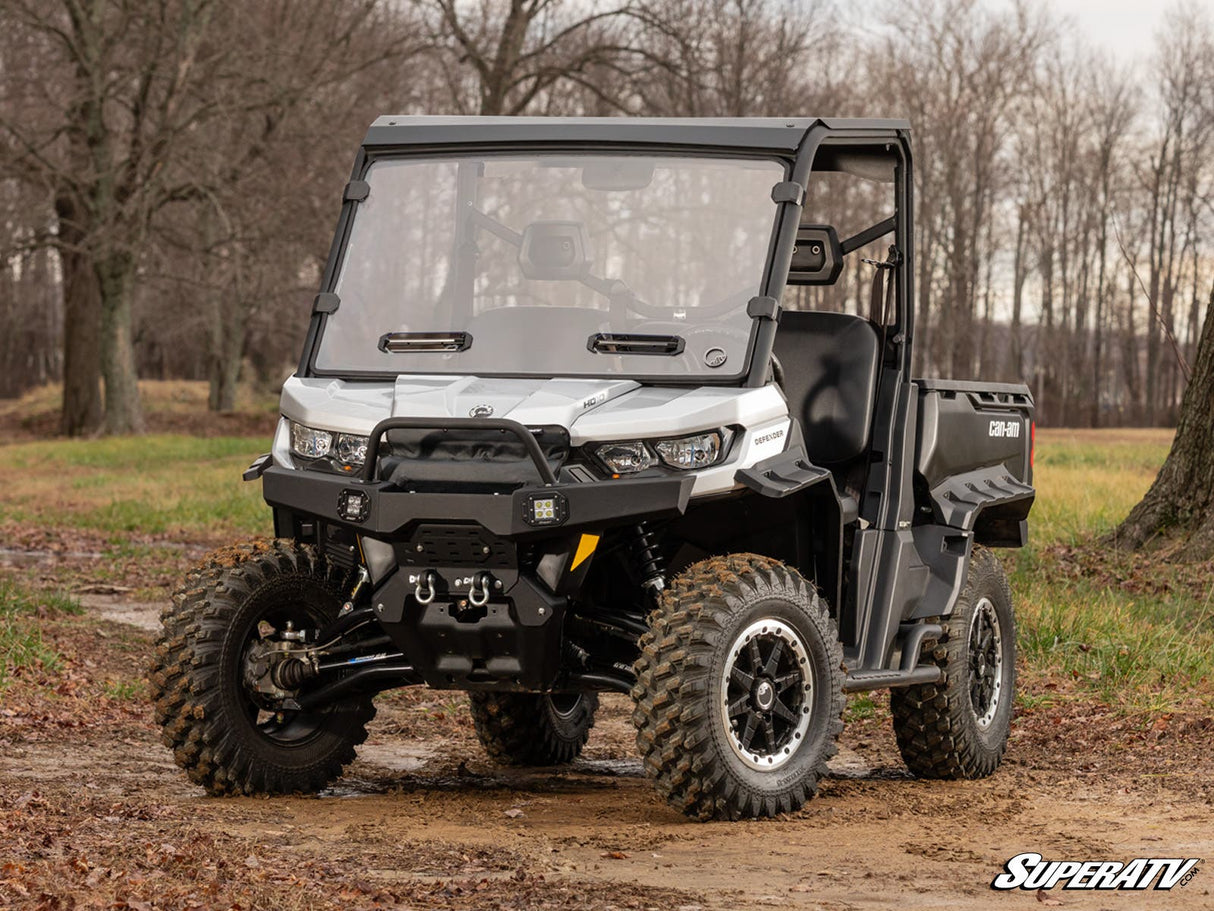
767, 694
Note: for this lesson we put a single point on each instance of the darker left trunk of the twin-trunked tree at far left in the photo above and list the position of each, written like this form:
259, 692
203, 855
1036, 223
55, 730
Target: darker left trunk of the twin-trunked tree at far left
82, 329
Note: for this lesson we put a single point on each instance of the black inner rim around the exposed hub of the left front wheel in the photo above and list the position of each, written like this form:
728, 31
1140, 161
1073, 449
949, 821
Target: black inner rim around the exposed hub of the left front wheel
283, 728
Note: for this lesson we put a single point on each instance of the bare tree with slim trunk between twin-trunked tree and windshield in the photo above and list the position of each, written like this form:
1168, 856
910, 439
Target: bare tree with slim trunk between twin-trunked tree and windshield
268, 172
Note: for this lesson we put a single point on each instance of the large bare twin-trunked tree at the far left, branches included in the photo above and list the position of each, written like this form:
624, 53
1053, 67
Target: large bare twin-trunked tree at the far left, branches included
99, 127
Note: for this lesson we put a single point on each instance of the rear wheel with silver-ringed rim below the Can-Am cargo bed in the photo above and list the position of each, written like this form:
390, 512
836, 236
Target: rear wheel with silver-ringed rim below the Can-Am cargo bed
958, 728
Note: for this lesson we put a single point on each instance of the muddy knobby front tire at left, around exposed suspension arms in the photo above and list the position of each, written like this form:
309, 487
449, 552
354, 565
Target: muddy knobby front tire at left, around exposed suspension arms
197, 676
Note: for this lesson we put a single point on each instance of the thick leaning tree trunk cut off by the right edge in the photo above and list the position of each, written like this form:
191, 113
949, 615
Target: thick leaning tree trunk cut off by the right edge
1179, 508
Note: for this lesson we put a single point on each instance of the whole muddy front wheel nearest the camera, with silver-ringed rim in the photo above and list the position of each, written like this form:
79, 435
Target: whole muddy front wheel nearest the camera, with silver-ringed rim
734, 638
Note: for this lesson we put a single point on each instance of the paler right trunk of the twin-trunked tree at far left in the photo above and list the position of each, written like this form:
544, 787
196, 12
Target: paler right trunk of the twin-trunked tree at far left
123, 411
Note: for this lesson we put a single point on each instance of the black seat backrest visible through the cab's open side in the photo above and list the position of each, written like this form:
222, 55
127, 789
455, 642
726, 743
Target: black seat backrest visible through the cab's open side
831, 367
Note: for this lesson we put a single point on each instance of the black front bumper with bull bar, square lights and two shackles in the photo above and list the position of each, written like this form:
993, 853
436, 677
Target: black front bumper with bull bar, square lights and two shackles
473, 586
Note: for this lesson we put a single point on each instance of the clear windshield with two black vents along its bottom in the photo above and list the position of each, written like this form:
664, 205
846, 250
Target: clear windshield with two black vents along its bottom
553, 265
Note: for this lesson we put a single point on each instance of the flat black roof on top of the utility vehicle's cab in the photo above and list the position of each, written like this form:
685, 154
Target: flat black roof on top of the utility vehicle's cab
738, 133
